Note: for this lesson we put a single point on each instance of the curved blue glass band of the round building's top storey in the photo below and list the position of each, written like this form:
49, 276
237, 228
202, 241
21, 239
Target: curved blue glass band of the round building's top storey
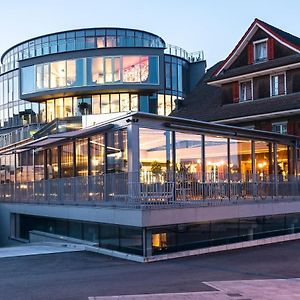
79, 40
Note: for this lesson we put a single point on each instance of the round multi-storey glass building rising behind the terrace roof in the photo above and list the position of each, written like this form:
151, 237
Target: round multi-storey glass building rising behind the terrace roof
92, 71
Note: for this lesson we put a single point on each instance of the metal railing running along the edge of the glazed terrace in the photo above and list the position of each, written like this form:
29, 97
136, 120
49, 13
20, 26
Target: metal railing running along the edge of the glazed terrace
131, 190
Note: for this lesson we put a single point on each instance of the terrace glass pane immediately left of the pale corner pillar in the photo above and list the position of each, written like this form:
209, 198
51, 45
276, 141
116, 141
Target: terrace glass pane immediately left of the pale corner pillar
117, 151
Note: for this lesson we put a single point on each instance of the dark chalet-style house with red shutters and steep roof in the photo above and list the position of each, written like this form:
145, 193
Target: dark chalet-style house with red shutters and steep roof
256, 86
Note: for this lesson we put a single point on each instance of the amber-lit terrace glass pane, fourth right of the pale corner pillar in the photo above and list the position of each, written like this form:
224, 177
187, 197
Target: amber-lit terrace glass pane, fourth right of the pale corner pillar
240, 160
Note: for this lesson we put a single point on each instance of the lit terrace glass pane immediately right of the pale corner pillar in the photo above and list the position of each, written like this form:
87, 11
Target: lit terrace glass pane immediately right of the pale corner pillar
155, 154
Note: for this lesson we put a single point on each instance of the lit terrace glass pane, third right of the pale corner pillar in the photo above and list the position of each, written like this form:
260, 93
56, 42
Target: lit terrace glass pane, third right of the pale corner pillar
216, 162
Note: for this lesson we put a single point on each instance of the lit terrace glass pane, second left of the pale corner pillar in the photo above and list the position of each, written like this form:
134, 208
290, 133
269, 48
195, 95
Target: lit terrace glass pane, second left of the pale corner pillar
97, 154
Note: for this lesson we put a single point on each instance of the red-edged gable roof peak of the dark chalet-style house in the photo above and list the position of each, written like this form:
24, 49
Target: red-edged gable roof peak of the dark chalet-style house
279, 35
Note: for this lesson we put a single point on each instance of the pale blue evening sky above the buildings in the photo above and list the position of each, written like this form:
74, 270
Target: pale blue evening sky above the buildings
212, 26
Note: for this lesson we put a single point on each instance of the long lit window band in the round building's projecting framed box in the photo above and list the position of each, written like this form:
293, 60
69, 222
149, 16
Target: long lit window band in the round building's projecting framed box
90, 71
